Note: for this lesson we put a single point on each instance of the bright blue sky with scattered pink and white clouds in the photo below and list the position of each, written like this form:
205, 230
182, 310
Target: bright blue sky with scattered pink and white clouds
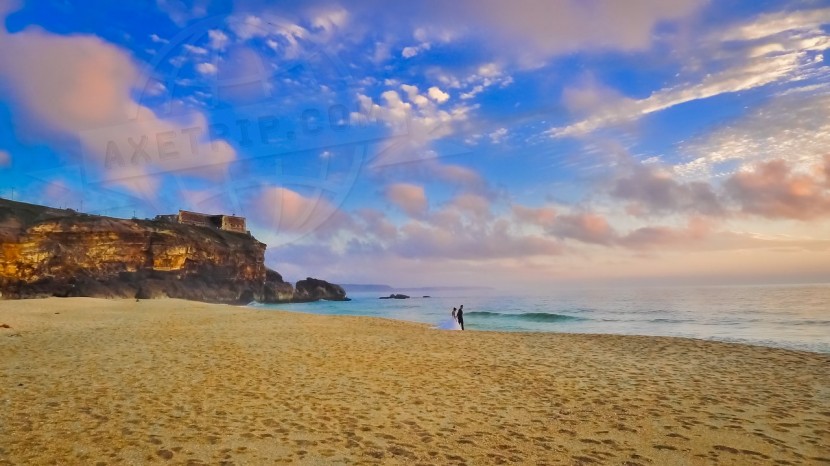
522, 145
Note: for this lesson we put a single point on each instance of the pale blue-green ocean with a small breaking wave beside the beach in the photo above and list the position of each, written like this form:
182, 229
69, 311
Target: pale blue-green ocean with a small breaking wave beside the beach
784, 316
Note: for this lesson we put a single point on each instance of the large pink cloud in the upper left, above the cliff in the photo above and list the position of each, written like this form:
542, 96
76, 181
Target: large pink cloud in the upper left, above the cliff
82, 86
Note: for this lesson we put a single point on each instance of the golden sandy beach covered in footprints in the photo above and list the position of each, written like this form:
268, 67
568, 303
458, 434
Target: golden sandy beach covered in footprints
86, 381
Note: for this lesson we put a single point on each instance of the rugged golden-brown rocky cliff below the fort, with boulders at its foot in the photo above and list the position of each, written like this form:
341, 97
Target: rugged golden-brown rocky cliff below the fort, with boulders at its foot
55, 252
